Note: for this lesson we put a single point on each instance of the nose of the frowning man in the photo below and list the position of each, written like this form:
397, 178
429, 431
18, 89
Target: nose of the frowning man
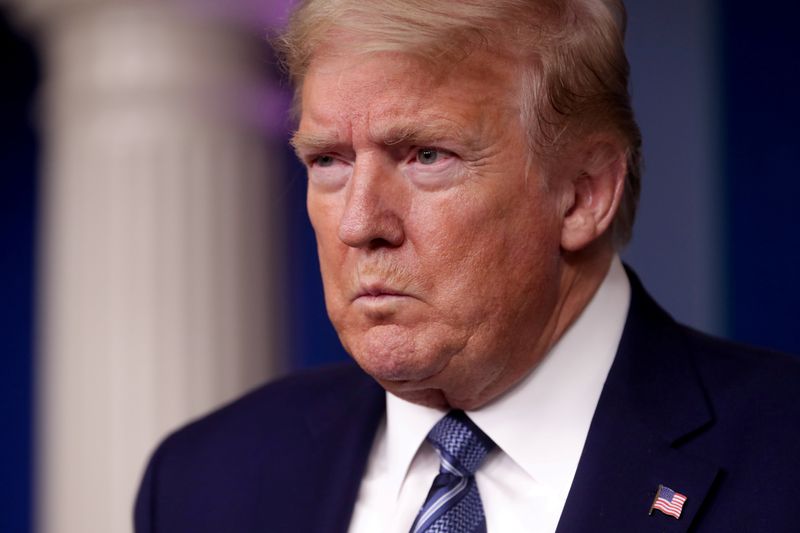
371, 217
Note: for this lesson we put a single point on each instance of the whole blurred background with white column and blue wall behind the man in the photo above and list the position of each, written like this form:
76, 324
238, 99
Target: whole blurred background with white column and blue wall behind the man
155, 255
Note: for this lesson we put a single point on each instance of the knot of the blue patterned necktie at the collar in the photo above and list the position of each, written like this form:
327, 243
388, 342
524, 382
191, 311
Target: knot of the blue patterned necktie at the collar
461, 444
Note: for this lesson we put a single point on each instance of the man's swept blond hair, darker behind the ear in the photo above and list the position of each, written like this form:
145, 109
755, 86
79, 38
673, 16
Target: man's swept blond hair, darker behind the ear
574, 75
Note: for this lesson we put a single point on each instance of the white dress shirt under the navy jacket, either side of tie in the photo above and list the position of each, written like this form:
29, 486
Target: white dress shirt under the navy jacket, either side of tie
539, 426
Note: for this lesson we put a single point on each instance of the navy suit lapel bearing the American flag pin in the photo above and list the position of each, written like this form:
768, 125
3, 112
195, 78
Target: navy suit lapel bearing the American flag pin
652, 402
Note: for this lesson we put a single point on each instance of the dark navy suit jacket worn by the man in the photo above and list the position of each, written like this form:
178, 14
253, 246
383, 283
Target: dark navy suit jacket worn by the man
717, 422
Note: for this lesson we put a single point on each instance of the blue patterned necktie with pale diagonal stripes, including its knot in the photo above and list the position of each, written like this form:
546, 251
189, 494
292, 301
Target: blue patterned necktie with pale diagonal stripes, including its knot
453, 504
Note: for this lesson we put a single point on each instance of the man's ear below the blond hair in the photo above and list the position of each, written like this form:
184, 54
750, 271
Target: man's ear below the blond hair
593, 195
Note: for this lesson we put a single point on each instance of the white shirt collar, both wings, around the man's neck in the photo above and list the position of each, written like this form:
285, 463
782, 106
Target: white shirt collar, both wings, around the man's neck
541, 423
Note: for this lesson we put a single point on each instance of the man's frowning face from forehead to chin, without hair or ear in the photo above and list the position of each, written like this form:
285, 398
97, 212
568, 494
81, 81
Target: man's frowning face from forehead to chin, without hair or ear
440, 257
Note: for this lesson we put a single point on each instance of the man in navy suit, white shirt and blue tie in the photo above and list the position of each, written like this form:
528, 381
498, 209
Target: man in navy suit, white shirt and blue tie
473, 169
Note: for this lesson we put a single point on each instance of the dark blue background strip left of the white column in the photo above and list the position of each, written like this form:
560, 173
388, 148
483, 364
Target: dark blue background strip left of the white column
18, 160
